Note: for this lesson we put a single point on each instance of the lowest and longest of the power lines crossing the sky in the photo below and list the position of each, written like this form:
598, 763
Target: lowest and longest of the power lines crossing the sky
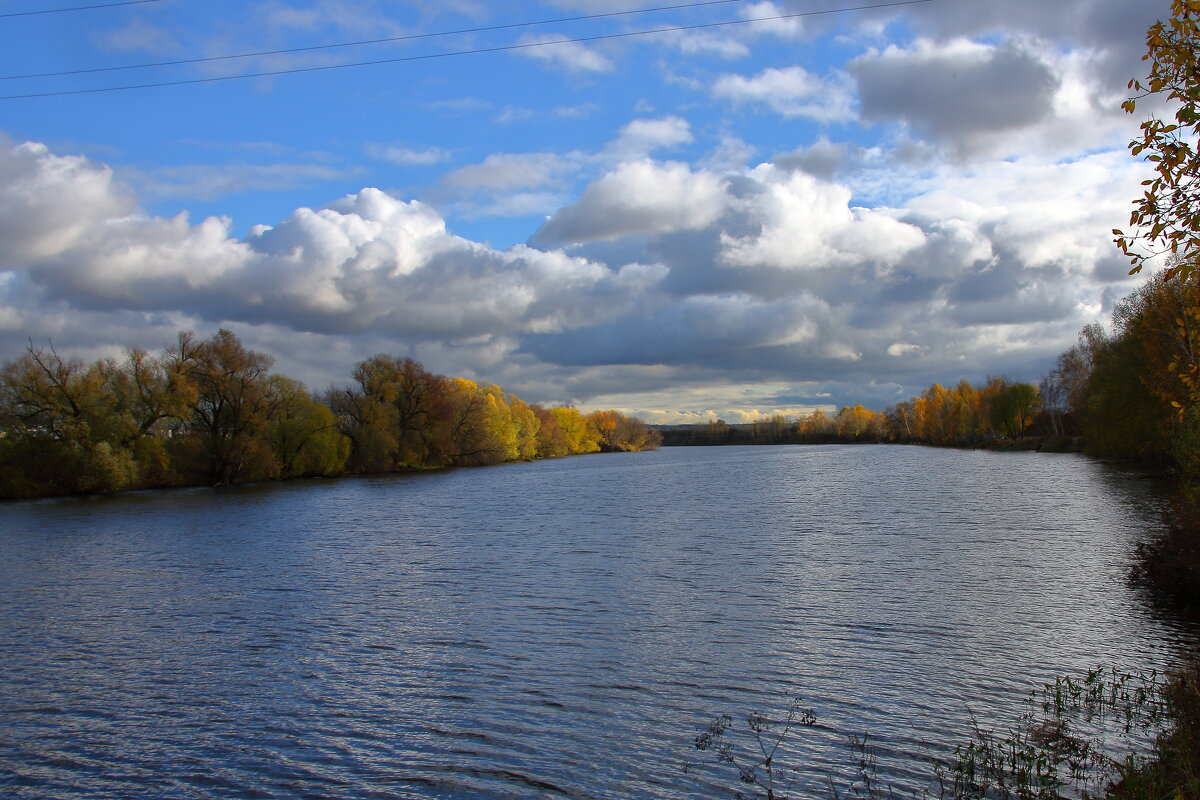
457, 53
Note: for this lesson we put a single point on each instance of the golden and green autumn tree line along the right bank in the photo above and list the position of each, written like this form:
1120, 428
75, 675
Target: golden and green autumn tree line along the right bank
1132, 392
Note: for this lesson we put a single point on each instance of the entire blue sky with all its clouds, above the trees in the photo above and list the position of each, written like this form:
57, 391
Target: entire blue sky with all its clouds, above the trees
739, 220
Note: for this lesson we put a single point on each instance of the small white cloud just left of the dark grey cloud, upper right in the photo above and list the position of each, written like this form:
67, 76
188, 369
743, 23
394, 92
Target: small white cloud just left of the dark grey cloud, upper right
790, 92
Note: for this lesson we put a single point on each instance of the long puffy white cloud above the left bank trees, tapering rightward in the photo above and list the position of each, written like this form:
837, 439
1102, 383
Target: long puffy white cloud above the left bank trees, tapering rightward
365, 263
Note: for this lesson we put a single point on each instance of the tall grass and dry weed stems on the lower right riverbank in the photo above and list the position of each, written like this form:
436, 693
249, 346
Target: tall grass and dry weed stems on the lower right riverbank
1107, 735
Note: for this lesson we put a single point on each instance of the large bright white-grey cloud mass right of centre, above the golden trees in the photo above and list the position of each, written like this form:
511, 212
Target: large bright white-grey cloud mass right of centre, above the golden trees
994, 270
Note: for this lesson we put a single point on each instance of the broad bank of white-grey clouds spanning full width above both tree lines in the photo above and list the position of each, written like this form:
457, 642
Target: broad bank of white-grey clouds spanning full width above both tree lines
673, 276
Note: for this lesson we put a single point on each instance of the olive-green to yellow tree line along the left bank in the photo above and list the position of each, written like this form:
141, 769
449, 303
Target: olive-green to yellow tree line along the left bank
211, 412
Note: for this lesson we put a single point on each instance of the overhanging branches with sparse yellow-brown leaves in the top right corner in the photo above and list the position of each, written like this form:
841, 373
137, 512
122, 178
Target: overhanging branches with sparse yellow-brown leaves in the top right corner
1167, 218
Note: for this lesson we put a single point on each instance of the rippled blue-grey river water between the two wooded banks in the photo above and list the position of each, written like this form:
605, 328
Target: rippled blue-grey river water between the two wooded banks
556, 629
